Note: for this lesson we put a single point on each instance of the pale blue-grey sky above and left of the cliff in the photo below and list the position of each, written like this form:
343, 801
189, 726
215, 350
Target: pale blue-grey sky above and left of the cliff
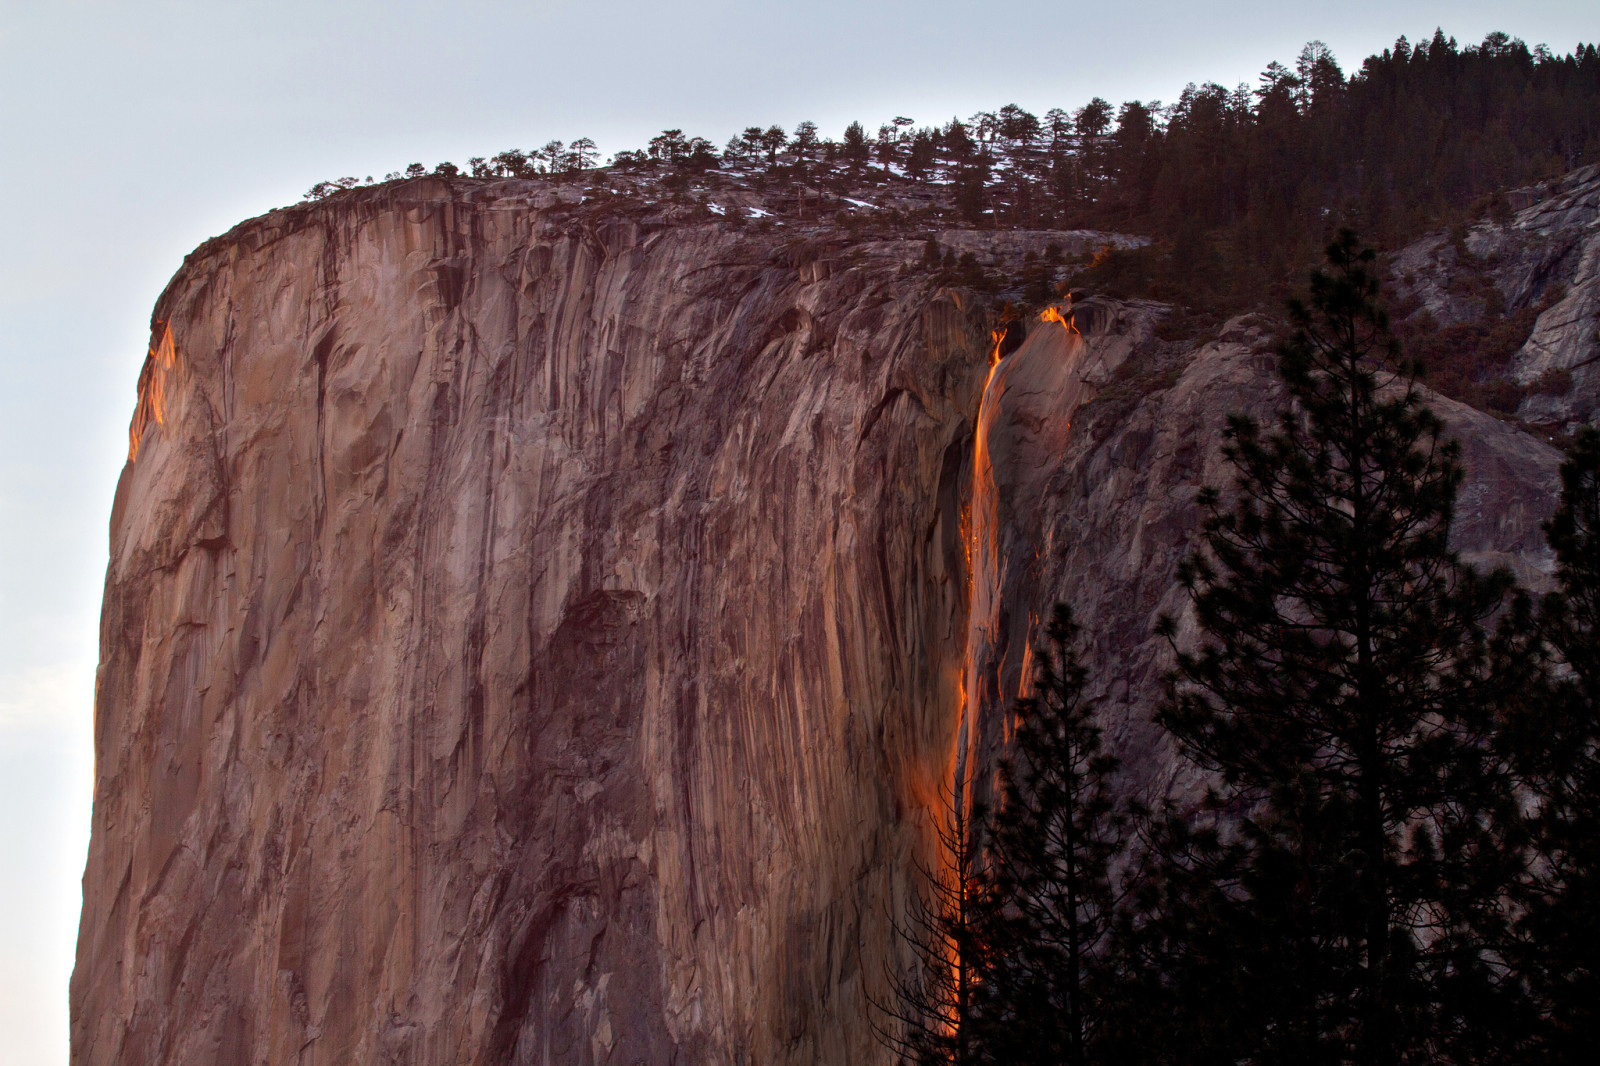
132, 132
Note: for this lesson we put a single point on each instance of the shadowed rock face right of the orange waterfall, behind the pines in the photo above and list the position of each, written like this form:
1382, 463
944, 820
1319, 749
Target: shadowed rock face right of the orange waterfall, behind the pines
1098, 507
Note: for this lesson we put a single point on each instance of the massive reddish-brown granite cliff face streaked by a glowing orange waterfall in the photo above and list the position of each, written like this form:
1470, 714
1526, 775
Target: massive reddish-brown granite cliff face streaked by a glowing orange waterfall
537, 638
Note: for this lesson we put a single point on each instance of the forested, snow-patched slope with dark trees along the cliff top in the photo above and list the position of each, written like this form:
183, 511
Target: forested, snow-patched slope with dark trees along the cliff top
1239, 188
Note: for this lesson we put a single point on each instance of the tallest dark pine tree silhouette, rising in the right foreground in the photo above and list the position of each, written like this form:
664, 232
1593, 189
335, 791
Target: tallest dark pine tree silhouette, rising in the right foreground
1340, 899
